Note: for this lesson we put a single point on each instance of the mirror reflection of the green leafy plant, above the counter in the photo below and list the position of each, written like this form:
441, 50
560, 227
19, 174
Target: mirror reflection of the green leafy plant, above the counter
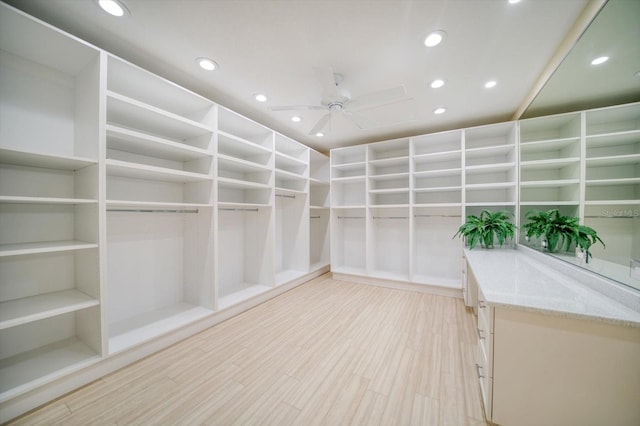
560, 231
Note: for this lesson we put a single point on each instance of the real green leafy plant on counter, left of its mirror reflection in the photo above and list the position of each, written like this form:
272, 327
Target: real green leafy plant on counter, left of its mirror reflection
486, 228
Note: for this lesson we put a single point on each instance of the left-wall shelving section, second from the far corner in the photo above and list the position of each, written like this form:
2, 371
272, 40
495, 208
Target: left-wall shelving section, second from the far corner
291, 209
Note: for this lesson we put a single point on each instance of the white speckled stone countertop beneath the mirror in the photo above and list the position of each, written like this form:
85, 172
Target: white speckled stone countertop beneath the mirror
513, 279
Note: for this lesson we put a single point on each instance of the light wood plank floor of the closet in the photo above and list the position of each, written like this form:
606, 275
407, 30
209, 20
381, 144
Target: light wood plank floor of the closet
328, 353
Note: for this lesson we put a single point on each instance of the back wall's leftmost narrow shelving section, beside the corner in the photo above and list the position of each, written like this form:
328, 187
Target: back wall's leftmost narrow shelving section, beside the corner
348, 210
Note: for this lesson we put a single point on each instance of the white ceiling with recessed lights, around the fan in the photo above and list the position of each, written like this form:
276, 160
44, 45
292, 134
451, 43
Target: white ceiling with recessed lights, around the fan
272, 47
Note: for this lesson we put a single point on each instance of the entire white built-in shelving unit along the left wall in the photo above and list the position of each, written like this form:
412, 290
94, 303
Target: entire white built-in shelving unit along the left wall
133, 212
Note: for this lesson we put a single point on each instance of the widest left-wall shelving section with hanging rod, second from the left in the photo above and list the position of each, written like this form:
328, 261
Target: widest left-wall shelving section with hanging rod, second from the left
159, 198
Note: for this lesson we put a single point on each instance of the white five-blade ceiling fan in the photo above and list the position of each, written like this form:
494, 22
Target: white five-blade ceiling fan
336, 101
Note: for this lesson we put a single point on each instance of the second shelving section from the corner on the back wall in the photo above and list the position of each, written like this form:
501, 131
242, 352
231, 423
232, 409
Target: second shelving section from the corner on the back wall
388, 201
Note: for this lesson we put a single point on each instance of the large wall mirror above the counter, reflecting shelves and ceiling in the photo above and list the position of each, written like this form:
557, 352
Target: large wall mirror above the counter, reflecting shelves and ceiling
607, 197
